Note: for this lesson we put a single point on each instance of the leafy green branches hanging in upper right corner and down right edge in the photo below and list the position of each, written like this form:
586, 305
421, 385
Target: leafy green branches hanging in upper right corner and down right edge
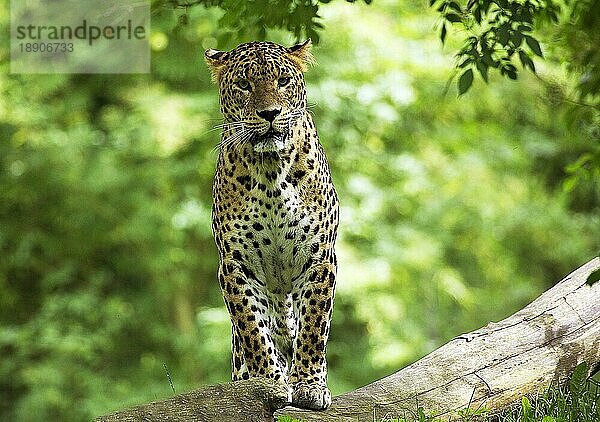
497, 32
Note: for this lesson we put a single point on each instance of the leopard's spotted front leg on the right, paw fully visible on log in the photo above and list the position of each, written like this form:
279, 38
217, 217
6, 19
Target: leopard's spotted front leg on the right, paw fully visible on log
308, 376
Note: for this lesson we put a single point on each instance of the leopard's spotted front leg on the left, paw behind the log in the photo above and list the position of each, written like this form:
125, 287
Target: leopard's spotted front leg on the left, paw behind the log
253, 345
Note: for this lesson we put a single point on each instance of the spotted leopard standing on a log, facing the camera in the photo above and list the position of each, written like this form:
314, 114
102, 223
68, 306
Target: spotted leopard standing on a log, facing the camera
275, 218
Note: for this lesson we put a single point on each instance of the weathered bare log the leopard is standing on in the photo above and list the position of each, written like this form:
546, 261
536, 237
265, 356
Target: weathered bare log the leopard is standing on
488, 368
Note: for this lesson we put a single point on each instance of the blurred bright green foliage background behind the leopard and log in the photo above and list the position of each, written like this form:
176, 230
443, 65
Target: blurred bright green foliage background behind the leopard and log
455, 211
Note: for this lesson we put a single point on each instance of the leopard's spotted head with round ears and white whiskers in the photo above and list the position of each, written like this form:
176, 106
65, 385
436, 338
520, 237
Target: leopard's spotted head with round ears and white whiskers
262, 91
